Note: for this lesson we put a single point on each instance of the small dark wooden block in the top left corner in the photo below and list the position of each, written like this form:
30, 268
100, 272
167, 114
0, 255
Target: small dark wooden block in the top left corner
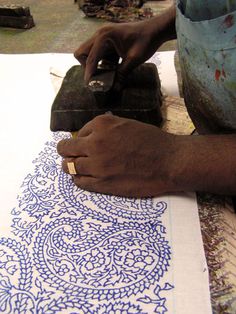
16, 17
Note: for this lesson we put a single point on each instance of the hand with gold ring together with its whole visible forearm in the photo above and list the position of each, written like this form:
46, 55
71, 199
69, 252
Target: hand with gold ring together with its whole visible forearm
125, 157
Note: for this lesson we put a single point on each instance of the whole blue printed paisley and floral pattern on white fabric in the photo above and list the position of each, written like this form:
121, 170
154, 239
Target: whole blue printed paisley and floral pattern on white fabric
72, 251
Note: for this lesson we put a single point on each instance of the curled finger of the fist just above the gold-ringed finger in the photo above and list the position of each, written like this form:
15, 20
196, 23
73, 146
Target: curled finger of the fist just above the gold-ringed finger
72, 147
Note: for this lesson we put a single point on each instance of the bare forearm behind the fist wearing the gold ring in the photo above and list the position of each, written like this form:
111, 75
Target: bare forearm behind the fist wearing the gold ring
205, 163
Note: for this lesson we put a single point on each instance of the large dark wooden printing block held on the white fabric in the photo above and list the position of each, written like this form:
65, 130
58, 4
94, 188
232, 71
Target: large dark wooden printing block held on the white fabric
76, 103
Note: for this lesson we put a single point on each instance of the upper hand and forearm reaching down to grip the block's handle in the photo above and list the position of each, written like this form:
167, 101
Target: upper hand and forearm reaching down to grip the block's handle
133, 42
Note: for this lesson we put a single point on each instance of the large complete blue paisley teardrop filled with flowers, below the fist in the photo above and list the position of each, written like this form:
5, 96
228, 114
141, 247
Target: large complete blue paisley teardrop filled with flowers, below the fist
100, 260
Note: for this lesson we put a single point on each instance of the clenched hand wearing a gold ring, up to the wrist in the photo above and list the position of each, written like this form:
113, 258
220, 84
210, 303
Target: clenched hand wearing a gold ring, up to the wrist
121, 157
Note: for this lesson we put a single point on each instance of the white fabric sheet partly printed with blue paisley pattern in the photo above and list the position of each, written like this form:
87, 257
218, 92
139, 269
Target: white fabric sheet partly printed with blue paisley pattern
64, 250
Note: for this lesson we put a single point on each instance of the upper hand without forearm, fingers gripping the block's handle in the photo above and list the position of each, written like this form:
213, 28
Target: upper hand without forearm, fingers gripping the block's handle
111, 42
